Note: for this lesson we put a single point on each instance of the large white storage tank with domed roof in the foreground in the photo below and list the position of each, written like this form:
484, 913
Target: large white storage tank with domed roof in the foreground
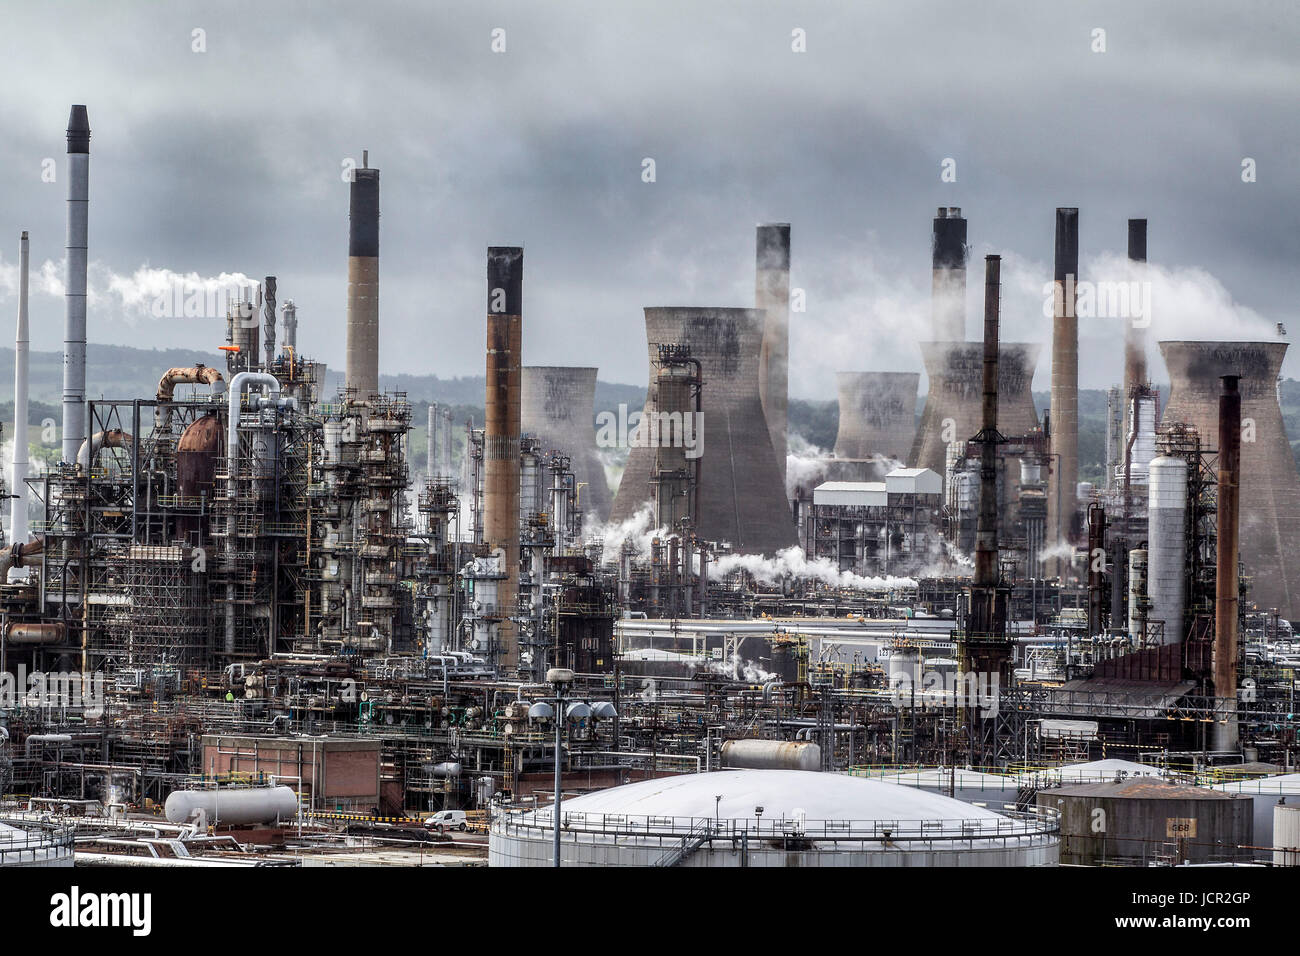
773, 819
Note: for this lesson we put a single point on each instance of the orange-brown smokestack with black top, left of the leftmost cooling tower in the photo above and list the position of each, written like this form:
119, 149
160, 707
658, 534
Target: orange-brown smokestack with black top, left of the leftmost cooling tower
501, 432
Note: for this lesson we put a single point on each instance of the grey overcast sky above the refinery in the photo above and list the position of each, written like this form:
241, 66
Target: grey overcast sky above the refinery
231, 161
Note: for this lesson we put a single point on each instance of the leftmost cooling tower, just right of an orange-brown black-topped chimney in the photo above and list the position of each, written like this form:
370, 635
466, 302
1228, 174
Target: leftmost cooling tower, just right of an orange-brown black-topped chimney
560, 409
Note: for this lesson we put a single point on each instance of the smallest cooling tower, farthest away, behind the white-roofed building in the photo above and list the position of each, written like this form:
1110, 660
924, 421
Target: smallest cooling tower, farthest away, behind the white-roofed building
878, 414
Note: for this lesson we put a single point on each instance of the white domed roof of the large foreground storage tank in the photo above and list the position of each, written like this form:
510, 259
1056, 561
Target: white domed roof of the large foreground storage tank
781, 794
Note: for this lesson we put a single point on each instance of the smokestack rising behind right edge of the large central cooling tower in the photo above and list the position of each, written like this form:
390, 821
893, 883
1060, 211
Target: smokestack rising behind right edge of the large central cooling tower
773, 297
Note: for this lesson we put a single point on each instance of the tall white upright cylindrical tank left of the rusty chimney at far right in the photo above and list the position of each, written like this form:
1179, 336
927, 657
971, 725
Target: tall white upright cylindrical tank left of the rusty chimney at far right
1167, 544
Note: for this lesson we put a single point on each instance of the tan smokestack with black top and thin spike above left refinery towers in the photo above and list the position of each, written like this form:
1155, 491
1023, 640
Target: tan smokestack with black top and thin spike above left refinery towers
363, 282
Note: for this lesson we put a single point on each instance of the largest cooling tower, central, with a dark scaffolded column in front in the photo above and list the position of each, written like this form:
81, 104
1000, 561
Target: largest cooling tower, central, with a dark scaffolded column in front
742, 491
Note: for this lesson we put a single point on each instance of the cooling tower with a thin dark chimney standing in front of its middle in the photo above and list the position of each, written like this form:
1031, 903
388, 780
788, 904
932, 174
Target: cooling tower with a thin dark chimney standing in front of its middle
954, 409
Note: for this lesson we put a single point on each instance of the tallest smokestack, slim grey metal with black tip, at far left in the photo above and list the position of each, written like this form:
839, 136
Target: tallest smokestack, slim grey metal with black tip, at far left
75, 318
